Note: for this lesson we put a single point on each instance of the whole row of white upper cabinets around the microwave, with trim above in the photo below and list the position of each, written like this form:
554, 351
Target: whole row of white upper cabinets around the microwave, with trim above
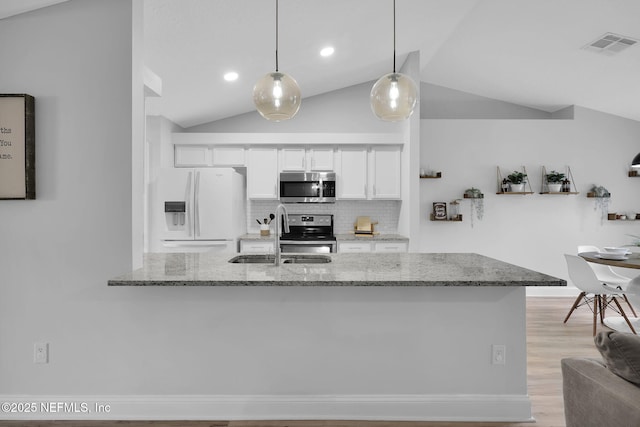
367, 166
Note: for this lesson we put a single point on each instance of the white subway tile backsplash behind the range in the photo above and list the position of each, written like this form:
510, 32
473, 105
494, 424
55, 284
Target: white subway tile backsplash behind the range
386, 212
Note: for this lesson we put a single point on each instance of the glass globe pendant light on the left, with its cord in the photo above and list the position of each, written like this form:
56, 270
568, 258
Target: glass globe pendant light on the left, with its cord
277, 95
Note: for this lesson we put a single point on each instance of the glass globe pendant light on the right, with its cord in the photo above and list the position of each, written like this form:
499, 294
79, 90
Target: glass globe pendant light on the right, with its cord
394, 95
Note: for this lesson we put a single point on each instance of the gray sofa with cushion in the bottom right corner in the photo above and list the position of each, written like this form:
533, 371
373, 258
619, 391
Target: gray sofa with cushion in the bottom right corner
604, 393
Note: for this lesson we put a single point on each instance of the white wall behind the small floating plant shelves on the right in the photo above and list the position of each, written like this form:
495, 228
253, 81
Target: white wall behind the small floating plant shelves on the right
533, 231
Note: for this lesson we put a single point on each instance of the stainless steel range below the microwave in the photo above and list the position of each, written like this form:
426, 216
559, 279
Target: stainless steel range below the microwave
309, 233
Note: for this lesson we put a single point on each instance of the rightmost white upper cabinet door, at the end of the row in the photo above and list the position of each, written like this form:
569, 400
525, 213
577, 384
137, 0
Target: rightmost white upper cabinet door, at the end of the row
385, 173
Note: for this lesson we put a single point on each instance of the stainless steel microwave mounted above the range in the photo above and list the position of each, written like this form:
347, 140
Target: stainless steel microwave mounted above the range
308, 187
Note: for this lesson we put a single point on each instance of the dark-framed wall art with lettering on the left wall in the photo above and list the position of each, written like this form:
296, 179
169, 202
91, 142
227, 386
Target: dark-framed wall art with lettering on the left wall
17, 147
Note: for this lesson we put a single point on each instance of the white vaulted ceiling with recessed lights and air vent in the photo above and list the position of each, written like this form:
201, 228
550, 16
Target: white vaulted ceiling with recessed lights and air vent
528, 52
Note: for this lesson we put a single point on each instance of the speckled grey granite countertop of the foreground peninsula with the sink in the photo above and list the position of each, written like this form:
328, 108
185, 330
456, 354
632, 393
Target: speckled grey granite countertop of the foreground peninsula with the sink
375, 269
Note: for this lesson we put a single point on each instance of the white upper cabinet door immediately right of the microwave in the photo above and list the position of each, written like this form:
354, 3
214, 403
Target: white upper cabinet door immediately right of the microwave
351, 174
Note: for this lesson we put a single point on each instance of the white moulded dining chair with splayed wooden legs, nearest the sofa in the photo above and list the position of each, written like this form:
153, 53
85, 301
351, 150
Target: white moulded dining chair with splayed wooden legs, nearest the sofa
593, 293
